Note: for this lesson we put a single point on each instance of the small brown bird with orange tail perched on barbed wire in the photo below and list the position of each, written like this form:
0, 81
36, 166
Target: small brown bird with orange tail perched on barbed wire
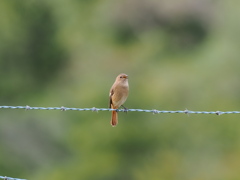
118, 95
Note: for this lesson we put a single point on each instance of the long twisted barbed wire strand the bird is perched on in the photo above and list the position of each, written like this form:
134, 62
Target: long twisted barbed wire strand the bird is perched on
154, 111
